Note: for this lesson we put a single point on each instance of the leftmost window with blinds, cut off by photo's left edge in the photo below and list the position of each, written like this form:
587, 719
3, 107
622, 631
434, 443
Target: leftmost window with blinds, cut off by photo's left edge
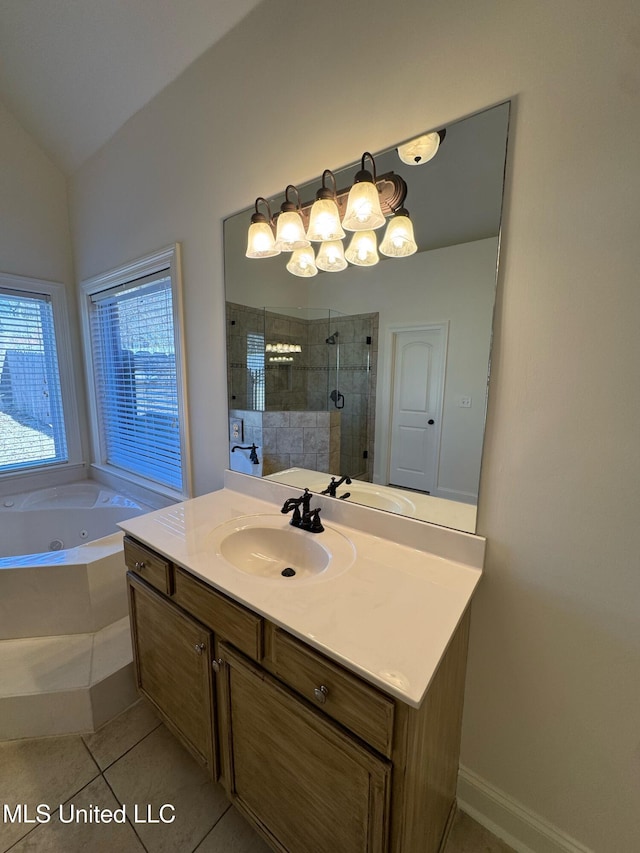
32, 422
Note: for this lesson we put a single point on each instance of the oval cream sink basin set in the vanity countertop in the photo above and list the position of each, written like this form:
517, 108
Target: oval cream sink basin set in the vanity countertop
268, 547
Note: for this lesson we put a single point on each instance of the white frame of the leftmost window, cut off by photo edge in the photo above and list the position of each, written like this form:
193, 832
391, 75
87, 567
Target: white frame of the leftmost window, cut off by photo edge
56, 291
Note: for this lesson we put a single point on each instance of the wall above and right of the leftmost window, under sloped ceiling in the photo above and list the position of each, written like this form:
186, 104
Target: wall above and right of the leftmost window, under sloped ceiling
34, 222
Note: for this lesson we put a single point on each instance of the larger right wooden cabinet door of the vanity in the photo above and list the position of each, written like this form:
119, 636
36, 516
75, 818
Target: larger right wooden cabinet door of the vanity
307, 784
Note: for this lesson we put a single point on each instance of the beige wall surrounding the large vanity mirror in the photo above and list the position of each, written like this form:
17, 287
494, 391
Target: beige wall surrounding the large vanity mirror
551, 710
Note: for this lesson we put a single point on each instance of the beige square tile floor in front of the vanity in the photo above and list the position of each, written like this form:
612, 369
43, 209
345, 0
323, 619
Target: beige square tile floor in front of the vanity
133, 760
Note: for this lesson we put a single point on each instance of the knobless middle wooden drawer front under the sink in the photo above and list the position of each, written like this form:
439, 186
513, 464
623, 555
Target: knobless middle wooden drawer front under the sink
231, 621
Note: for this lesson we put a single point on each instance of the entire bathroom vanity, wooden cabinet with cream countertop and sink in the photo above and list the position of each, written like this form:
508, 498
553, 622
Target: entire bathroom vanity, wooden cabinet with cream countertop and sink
329, 705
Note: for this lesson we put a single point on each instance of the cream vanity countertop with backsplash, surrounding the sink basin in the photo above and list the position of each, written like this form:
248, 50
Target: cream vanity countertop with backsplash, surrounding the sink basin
388, 618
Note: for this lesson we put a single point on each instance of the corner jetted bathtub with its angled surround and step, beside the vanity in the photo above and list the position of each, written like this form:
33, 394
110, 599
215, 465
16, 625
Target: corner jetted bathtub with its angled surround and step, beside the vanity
65, 643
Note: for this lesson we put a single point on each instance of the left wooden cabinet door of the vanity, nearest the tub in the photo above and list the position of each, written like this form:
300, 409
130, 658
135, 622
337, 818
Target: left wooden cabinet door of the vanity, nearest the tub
172, 655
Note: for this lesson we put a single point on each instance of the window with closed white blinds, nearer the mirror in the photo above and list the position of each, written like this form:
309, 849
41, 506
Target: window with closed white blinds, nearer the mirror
133, 324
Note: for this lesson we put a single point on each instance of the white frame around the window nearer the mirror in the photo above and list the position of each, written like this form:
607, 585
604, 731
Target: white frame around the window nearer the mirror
167, 261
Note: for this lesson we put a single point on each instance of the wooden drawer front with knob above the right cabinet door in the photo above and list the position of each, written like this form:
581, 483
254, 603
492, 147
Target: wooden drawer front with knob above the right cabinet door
340, 694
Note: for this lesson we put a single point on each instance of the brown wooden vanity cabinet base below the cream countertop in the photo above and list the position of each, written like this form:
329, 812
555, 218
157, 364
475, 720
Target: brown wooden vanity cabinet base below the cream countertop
314, 756
